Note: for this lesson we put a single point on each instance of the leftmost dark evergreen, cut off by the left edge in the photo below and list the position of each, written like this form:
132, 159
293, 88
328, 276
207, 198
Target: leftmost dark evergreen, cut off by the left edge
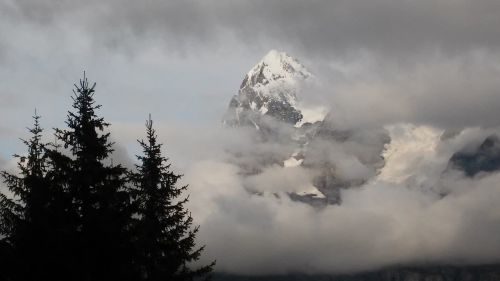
24, 213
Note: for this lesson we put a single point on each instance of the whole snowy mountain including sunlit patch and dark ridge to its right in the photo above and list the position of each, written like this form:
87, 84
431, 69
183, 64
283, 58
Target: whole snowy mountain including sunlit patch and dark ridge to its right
269, 102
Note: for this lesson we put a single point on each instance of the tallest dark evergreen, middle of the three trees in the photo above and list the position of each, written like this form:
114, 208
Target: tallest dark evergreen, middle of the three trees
100, 211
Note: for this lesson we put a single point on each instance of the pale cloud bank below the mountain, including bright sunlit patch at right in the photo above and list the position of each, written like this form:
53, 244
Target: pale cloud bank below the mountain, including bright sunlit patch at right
414, 211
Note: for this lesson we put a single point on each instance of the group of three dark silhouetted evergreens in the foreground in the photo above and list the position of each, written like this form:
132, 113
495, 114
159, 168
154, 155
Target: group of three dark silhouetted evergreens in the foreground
72, 214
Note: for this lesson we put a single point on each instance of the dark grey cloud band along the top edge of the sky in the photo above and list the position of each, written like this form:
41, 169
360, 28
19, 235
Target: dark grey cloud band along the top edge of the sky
387, 27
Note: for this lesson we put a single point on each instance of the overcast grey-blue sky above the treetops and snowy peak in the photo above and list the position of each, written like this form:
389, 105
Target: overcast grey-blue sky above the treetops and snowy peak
182, 60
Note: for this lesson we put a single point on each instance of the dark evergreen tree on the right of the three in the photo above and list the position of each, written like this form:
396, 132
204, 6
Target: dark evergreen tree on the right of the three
165, 237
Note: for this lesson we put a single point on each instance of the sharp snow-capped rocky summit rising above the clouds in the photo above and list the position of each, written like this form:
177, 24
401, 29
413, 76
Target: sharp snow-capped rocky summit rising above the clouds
271, 89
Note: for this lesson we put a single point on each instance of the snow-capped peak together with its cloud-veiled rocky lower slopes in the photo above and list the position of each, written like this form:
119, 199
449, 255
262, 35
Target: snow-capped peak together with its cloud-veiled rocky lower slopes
270, 102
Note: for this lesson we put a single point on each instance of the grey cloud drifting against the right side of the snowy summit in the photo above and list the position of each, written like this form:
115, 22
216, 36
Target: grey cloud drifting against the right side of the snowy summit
438, 90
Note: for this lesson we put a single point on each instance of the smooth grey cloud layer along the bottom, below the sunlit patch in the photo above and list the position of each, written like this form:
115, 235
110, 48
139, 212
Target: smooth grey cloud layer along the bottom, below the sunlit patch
252, 234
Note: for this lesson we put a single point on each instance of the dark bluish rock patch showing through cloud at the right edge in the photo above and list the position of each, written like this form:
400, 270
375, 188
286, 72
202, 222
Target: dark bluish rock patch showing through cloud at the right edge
485, 158
